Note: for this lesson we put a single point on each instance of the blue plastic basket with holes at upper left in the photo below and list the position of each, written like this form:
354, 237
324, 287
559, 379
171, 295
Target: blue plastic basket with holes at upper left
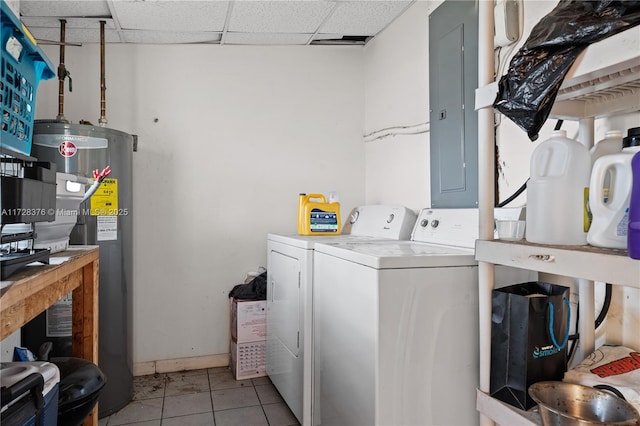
23, 65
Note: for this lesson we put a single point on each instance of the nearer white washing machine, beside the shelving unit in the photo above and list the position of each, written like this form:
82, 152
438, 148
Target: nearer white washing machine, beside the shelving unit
396, 326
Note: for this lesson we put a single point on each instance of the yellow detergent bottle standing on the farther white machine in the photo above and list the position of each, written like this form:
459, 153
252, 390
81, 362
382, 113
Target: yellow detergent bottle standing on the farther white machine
318, 216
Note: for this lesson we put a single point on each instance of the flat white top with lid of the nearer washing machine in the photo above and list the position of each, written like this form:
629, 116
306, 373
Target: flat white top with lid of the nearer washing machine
399, 254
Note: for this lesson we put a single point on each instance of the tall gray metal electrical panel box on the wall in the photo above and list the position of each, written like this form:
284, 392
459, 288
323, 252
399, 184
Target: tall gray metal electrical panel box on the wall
453, 78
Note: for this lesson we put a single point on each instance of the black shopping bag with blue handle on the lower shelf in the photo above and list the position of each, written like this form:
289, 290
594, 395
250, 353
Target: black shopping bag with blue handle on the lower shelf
529, 334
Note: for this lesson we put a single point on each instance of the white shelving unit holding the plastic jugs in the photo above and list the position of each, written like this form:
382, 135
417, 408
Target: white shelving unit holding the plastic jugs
605, 92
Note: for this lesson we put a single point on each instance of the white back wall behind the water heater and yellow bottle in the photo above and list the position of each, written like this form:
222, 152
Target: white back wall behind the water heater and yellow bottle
228, 137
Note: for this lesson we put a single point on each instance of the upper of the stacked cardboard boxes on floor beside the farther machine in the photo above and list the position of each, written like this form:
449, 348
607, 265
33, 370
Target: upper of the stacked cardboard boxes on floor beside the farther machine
248, 320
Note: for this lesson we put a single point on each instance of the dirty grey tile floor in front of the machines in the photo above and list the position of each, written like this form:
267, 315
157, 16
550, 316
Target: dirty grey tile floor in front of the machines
203, 398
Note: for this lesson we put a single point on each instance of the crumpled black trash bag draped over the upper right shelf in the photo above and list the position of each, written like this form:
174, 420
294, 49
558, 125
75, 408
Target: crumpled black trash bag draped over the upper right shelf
528, 90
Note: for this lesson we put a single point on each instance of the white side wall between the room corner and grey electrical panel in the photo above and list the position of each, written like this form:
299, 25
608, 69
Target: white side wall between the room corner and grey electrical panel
397, 98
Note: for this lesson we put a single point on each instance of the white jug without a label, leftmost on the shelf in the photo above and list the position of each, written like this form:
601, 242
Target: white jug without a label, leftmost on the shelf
560, 170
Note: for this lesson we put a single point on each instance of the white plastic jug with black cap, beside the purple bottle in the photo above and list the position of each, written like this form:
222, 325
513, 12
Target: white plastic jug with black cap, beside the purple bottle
609, 201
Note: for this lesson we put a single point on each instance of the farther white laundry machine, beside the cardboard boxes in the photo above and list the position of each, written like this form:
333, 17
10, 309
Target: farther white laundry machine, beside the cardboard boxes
289, 297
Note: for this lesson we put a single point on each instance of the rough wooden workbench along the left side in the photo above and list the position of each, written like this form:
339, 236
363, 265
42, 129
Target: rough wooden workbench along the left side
33, 289
